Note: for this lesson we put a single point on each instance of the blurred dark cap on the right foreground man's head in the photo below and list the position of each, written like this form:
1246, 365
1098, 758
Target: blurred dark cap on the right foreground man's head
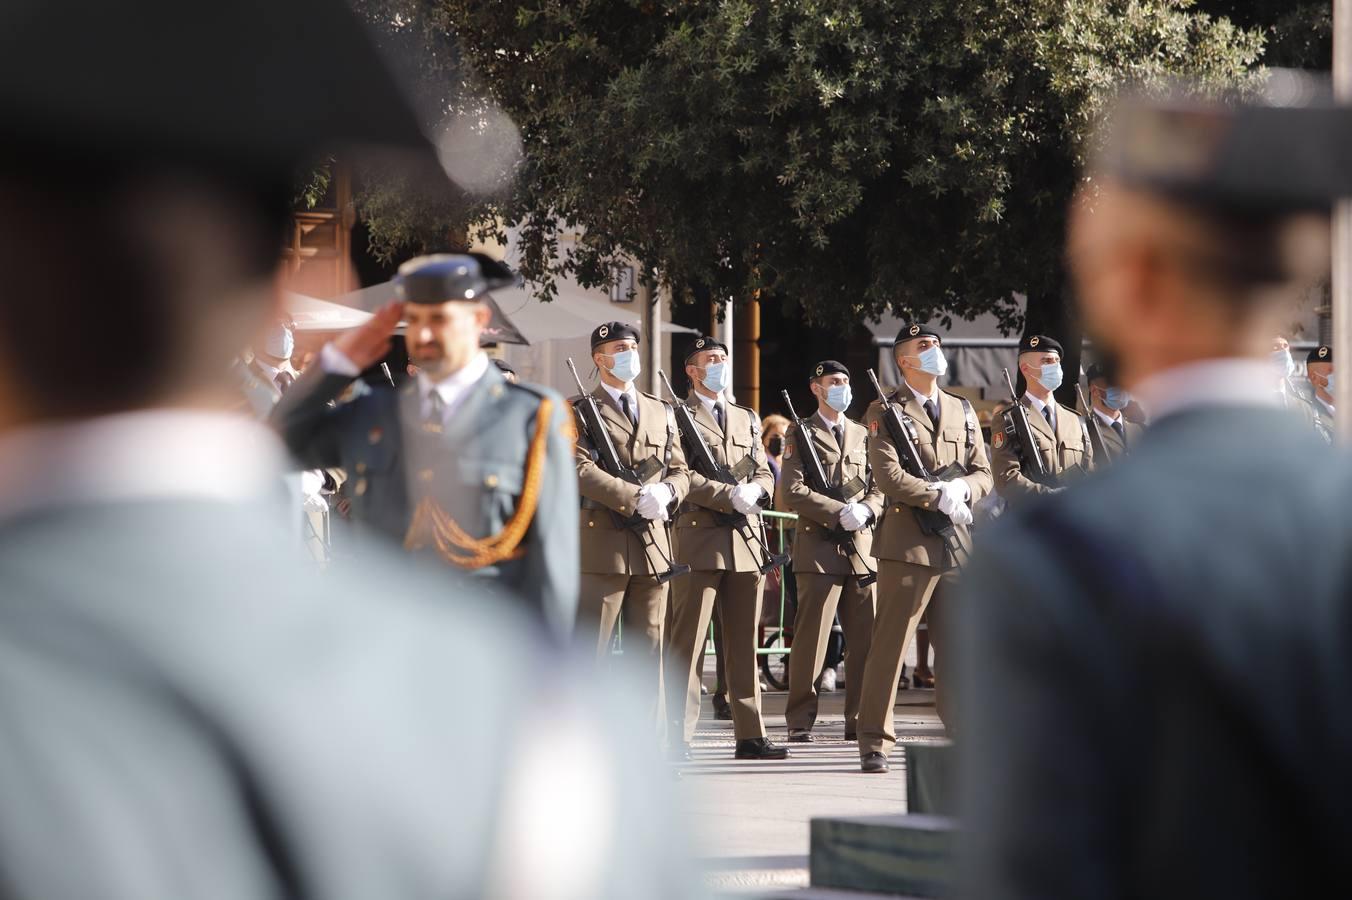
1286, 152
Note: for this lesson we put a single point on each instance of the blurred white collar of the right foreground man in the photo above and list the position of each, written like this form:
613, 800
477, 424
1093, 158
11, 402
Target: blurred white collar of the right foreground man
1211, 383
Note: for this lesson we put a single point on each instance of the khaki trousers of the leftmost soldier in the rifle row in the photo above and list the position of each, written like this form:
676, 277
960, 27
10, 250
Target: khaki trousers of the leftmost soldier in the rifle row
643, 602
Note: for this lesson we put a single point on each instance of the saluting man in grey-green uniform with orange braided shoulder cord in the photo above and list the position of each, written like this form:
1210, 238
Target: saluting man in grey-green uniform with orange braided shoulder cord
458, 464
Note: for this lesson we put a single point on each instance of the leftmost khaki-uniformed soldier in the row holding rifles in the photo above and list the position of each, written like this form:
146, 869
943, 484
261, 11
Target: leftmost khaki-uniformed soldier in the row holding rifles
620, 568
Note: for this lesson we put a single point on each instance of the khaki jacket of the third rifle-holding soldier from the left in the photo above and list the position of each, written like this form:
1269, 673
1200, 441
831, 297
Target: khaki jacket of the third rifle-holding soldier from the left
815, 551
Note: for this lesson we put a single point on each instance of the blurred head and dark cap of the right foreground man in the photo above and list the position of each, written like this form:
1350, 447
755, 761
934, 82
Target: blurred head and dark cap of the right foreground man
1203, 224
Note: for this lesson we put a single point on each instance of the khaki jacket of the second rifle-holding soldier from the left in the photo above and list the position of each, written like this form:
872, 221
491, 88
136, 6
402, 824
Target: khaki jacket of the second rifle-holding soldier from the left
701, 541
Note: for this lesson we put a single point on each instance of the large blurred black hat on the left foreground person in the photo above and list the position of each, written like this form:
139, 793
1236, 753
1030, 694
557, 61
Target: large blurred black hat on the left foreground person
249, 89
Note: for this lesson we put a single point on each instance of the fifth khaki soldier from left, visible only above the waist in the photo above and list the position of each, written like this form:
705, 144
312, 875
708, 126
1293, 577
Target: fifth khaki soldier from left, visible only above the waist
1063, 440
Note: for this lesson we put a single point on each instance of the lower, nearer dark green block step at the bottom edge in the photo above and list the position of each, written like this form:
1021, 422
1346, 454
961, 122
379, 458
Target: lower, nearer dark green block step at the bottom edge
900, 856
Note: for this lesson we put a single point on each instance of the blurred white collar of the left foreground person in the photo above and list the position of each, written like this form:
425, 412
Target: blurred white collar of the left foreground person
153, 455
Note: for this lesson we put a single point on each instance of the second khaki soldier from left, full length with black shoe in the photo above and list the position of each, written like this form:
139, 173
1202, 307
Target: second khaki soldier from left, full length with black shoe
724, 559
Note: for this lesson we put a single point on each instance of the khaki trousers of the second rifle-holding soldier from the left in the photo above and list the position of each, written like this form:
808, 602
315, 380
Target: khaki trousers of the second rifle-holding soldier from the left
739, 599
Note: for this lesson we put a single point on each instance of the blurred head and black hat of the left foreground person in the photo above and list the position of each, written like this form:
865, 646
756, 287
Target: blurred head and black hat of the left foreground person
147, 180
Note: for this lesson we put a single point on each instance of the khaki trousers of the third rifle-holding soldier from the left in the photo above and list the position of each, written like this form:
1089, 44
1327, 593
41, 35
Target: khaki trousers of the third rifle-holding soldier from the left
819, 599
